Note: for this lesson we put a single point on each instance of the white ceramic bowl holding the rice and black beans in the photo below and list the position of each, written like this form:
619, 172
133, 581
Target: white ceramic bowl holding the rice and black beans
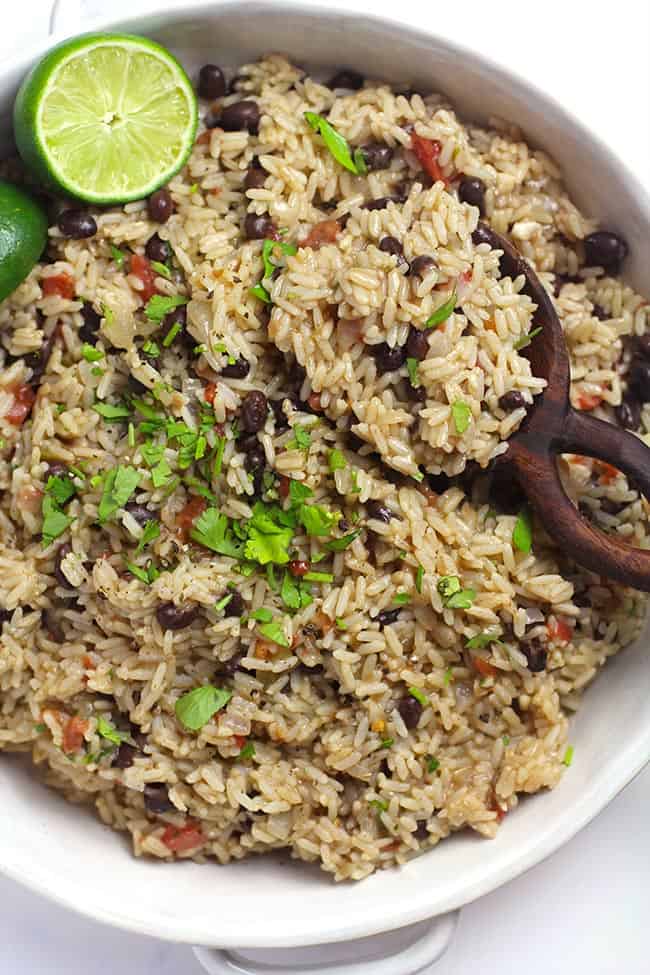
62, 851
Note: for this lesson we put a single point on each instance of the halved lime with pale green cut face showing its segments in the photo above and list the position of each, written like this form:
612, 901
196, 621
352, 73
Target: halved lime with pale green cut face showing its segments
106, 118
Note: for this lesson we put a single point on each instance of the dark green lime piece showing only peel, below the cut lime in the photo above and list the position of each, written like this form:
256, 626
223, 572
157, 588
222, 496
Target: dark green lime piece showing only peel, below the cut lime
23, 235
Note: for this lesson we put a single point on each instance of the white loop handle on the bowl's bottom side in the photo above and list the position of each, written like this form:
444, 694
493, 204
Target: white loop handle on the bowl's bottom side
421, 952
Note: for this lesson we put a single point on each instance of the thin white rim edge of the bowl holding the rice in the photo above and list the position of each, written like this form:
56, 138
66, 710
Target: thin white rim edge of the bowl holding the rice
629, 760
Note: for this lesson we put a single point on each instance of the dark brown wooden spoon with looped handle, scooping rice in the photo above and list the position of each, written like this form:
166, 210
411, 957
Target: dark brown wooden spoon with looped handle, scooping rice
553, 427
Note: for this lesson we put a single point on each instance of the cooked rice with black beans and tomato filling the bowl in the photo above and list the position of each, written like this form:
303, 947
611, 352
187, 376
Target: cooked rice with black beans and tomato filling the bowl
336, 776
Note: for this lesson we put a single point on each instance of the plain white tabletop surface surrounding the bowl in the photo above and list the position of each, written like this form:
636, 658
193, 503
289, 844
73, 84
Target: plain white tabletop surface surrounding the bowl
587, 909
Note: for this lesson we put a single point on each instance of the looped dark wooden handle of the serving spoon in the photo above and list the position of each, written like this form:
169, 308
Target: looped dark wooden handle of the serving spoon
604, 554
